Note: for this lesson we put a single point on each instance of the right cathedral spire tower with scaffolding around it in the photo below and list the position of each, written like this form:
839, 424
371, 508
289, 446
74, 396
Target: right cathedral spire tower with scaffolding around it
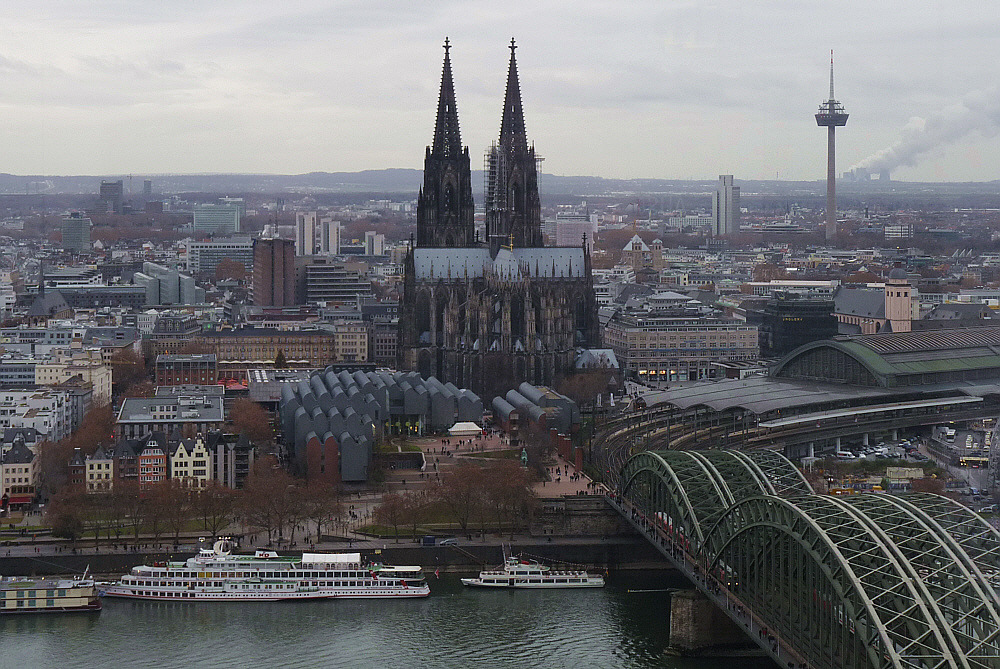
513, 208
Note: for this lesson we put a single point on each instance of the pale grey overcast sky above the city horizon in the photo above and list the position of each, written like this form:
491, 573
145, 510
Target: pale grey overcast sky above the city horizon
634, 88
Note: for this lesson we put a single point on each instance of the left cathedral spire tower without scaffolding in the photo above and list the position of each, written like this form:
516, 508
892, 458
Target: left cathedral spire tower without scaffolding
445, 209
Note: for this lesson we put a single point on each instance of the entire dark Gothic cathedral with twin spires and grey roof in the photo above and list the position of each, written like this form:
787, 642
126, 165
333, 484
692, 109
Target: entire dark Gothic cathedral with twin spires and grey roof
487, 314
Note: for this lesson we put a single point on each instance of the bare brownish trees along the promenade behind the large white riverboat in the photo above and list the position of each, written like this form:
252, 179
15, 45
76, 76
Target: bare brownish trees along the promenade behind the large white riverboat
272, 503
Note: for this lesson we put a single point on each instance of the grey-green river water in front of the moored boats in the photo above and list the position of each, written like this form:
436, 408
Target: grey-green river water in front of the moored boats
621, 625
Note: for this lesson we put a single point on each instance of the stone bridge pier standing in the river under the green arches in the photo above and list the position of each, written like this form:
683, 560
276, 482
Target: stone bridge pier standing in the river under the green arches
699, 627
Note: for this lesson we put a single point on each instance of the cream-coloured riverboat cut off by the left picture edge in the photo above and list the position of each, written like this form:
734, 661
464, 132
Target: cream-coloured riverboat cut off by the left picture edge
48, 595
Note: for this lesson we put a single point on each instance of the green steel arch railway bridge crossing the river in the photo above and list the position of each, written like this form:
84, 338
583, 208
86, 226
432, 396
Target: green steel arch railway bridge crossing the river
871, 580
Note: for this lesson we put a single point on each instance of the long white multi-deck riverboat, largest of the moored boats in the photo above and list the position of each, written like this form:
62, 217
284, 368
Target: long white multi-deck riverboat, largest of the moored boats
217, 574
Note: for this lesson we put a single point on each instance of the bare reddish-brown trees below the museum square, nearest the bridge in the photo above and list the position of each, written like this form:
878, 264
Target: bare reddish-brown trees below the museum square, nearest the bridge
496, 497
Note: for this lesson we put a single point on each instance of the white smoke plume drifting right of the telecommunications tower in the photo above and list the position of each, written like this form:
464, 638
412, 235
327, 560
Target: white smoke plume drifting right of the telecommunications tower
979, 111
